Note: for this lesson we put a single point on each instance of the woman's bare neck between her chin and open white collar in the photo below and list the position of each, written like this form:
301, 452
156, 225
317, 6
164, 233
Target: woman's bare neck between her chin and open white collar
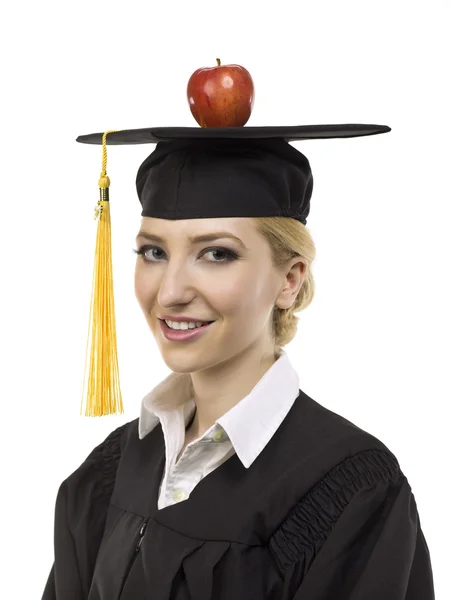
218, 389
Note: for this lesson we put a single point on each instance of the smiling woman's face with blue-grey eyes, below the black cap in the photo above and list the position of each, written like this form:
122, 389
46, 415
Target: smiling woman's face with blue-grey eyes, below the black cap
221, 280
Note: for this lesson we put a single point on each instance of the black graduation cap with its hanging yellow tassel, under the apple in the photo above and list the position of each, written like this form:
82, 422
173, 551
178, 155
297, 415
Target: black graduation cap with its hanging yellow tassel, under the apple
196, 172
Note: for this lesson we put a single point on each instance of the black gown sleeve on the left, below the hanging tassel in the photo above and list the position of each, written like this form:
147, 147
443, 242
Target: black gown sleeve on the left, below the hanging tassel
80, 515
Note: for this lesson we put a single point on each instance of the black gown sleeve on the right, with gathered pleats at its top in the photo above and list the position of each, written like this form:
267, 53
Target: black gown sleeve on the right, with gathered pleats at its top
356, 536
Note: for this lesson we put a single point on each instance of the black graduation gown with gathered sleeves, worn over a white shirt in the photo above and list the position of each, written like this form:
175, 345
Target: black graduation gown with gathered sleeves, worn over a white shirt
323, 513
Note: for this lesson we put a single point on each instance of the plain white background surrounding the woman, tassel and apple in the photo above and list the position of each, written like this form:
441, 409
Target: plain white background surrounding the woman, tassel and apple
373, 346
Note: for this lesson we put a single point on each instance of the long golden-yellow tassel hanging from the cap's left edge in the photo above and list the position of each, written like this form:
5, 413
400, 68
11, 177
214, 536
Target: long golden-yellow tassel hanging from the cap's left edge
104, 395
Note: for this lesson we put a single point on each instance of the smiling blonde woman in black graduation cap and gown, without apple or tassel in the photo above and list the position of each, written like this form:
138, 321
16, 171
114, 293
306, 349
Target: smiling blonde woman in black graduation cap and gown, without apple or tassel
233, 483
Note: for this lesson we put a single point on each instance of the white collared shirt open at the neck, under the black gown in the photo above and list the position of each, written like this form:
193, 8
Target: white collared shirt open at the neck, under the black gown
245, 429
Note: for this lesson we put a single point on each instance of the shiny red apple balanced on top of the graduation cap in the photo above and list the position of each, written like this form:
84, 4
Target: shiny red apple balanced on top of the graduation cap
221, 96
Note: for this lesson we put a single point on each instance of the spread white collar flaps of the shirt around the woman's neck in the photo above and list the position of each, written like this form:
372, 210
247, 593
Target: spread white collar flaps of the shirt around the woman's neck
250, 424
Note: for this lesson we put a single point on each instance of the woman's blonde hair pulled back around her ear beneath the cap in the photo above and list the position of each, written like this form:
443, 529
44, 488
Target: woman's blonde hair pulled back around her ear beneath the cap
287, 238
